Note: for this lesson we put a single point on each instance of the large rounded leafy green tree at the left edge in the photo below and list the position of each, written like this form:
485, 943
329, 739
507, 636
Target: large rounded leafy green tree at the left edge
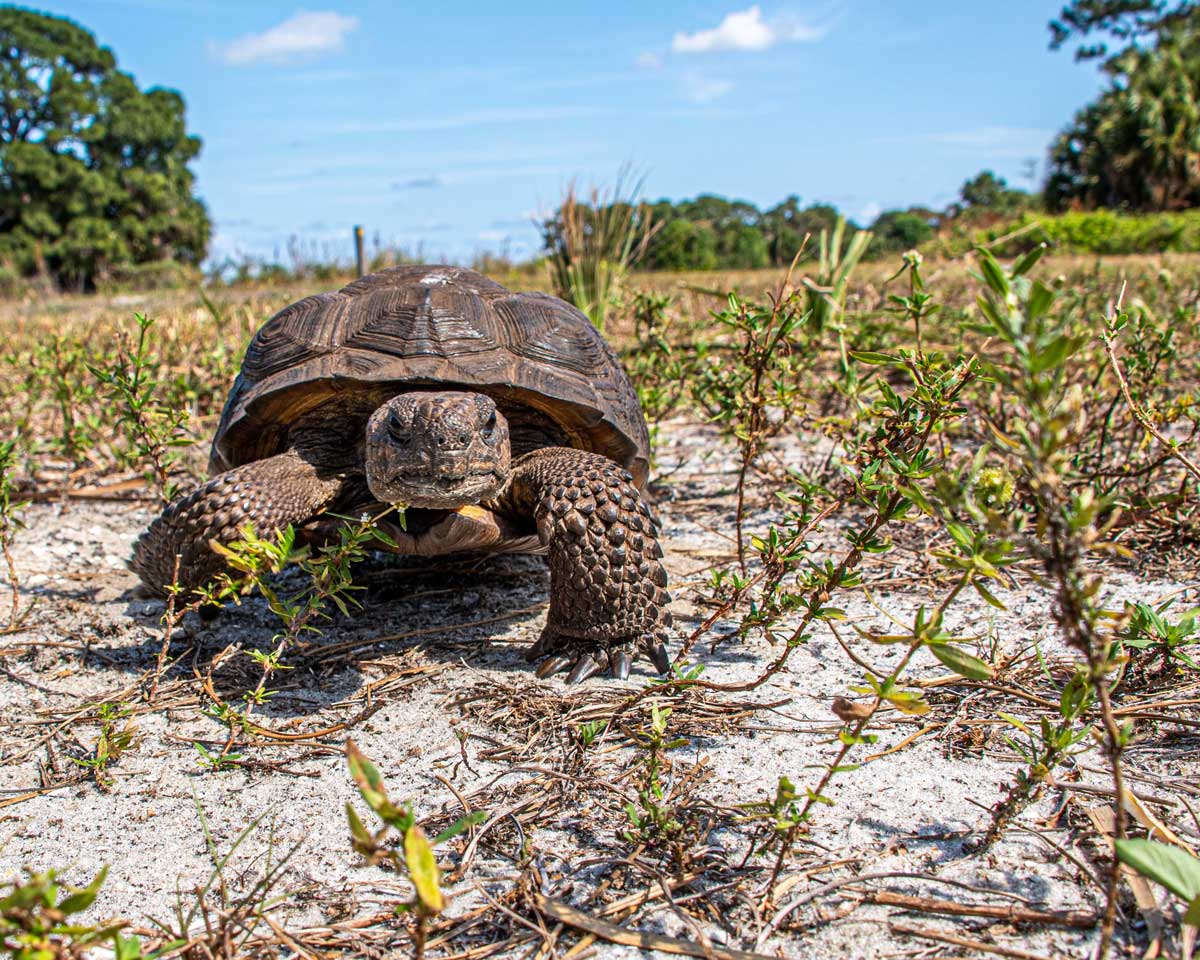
94, 171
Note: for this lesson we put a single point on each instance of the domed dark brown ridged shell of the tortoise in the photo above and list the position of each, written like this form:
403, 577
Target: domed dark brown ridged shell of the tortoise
439, 328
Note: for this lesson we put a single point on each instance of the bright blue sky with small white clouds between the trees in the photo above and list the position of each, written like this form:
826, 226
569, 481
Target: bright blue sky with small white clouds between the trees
445, 129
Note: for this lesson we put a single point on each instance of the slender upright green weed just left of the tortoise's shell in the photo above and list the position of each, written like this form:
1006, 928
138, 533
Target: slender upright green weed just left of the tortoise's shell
154, 431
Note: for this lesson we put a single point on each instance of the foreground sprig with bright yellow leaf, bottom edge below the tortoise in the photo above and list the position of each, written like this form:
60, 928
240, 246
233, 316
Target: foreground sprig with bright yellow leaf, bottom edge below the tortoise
418, 860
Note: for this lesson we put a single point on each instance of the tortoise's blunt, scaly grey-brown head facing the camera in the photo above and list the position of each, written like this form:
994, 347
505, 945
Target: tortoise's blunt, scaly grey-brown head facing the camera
437, 451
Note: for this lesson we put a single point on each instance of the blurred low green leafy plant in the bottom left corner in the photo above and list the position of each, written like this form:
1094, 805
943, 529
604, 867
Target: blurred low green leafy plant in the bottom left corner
35, 922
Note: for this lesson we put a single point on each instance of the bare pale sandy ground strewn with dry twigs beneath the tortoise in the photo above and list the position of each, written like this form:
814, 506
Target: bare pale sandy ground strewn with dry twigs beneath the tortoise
440, 669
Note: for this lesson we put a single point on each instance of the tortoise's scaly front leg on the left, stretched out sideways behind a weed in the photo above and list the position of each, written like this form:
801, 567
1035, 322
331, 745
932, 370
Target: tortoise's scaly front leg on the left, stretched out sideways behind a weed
269, 494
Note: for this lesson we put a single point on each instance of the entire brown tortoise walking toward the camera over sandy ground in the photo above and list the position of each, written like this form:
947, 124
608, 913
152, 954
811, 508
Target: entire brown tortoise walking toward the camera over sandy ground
501, 422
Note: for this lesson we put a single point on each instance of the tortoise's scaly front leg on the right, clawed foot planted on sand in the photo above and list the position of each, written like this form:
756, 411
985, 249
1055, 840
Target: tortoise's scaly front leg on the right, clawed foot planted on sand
608, 597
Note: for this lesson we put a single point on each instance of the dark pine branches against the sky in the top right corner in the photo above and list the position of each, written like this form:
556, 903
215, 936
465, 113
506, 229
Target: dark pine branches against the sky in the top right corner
1129, 22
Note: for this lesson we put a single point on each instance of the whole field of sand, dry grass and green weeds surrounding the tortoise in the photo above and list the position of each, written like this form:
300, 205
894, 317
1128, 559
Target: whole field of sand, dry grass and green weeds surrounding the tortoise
934, 561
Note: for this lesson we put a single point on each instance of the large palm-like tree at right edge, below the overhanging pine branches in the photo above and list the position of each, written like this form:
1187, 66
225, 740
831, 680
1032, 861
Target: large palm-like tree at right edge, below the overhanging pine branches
1138, 147
